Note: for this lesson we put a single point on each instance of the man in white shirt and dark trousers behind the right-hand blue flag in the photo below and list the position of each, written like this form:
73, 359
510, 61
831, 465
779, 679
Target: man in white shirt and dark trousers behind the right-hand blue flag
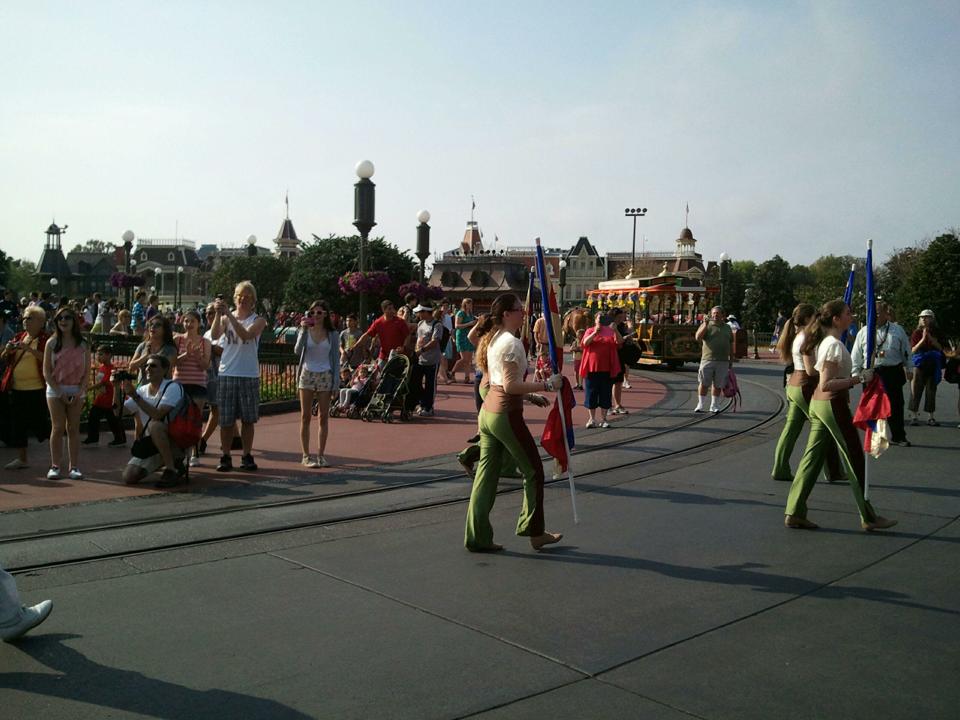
891, 362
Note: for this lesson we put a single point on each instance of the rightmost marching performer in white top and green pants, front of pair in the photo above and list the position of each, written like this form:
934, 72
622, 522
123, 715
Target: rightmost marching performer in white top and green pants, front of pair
830, 419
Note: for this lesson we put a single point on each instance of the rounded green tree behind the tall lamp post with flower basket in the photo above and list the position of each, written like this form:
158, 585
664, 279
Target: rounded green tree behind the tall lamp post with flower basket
322, 263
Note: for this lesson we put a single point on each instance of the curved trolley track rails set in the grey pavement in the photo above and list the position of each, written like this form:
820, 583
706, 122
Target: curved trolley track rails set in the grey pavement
330, 498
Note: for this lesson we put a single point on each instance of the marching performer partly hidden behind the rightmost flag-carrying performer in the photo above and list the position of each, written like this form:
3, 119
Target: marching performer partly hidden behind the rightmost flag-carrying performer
801, 383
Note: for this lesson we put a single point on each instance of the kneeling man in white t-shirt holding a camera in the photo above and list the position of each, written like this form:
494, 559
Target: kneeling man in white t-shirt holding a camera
152, 403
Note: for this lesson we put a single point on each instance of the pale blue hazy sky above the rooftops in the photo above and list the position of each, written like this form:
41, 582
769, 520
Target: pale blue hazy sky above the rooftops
791, 128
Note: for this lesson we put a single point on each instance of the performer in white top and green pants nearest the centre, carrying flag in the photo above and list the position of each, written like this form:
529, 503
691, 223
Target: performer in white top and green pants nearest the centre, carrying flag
502, 430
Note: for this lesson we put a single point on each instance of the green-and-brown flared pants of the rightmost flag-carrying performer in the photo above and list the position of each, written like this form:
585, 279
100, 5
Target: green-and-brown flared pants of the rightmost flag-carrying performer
831, 424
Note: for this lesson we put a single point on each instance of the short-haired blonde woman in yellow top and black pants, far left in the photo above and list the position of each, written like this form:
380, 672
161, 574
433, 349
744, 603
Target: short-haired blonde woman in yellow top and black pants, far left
24, 380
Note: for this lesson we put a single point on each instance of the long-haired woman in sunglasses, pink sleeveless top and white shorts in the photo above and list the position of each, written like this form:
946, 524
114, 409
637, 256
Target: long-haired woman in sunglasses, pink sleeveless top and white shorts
66, 367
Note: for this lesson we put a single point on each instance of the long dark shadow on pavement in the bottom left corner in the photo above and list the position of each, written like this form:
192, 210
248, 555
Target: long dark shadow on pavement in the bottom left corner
81, 679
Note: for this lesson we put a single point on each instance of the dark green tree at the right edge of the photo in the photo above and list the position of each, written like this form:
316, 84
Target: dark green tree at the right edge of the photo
934, 283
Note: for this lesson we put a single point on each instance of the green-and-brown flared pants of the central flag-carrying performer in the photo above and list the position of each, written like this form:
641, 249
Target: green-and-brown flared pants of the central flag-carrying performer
502, 433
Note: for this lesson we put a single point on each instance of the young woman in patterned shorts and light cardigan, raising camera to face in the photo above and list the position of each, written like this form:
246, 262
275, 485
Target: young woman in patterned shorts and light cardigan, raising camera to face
318, 347
